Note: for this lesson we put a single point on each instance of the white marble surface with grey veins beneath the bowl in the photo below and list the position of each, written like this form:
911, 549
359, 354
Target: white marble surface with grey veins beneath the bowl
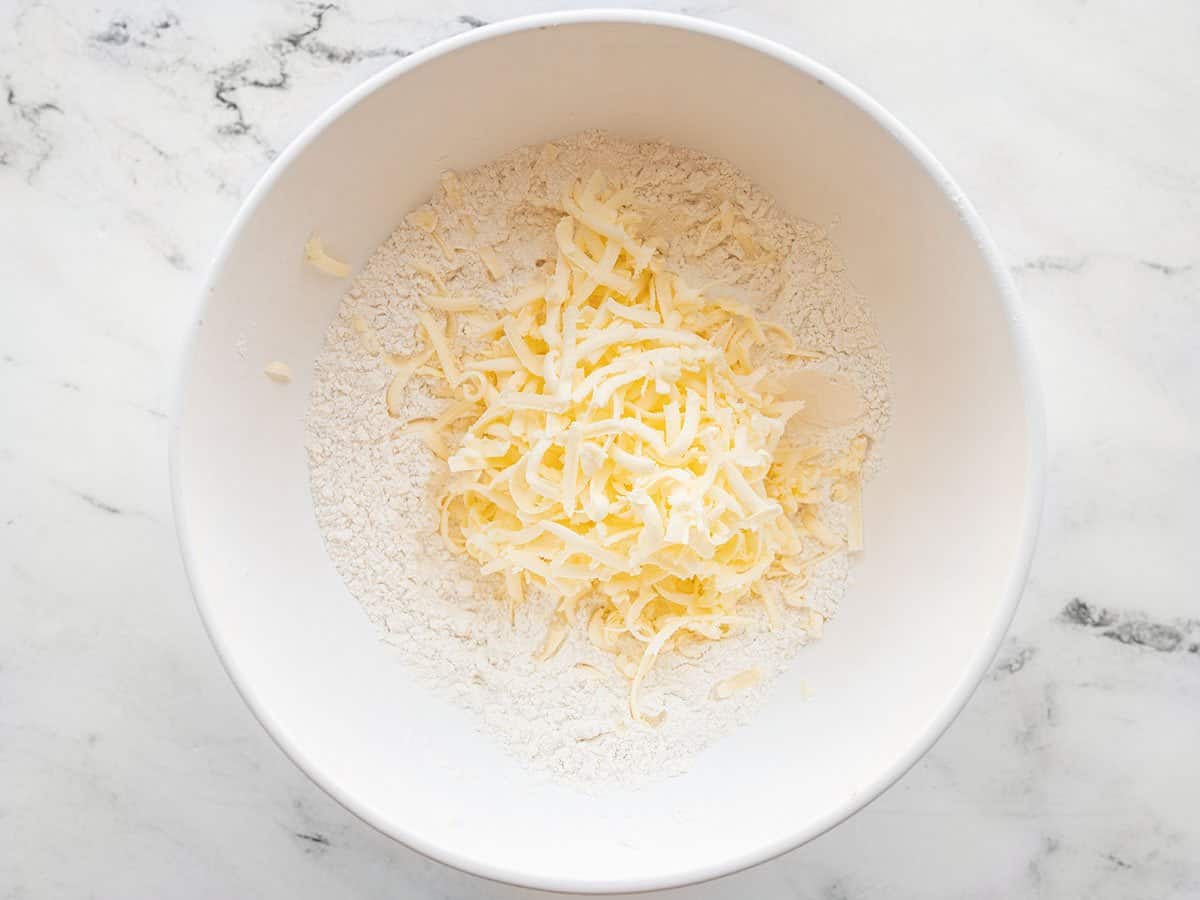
130, 769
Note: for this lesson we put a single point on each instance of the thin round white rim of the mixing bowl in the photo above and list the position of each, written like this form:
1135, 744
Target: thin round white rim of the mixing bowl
1031, 401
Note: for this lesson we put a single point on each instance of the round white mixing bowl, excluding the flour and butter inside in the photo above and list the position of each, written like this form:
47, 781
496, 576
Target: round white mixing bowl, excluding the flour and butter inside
951, 520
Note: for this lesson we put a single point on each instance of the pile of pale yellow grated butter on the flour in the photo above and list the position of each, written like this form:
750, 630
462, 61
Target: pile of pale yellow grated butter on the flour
623, 445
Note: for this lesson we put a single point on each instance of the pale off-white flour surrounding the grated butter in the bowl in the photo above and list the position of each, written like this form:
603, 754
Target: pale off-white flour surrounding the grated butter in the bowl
569, 716
